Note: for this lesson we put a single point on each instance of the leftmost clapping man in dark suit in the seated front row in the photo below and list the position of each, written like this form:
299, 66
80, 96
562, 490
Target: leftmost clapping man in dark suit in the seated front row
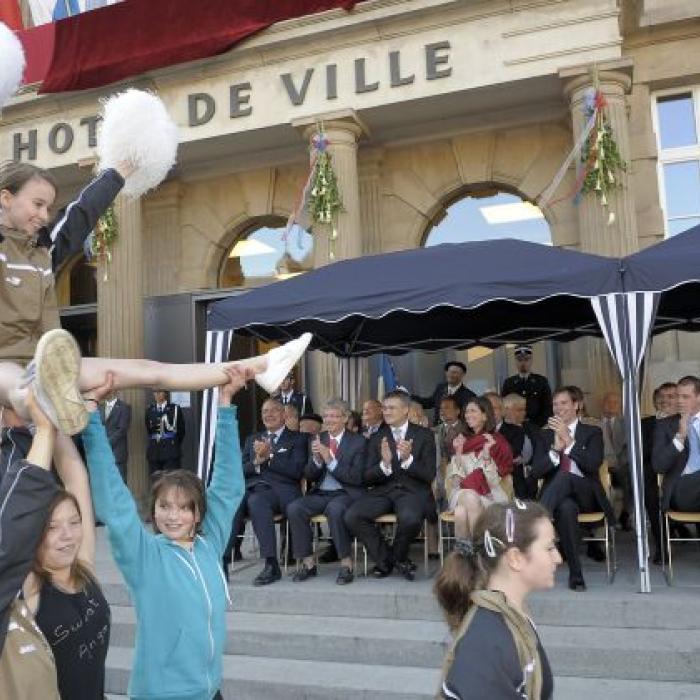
273, 464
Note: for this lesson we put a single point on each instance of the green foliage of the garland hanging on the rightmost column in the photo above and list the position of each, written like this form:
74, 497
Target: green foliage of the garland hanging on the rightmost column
602, 160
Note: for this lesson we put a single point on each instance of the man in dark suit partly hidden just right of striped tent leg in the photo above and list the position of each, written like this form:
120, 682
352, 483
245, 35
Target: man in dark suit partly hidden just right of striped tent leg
665, 400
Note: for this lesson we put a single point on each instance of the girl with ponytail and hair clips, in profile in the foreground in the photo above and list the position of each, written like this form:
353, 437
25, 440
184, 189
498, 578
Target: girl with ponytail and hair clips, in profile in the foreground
482, 590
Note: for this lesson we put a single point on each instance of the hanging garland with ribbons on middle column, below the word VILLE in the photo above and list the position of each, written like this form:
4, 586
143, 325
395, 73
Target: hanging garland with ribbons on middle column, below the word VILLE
320, 198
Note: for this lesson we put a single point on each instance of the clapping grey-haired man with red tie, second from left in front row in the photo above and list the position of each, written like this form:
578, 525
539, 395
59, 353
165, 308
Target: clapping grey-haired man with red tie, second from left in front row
334, 475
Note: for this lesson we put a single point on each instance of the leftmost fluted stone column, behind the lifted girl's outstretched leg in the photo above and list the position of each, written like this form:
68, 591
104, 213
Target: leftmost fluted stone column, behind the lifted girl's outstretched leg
120, 324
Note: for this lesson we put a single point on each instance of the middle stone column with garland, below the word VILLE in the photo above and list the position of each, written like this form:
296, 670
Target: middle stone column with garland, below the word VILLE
343, 130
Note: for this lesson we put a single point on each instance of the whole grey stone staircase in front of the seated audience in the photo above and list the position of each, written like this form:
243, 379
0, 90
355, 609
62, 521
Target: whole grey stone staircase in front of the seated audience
386, 639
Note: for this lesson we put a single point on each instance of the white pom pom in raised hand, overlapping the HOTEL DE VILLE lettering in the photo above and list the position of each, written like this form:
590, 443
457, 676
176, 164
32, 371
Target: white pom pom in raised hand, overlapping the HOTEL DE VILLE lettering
136, 127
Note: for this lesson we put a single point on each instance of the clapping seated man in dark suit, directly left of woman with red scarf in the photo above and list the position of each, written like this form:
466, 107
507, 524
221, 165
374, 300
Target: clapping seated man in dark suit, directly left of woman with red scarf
400, 469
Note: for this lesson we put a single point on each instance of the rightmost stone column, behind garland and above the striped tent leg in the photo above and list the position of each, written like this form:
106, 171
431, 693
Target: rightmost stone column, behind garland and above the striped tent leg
599, 231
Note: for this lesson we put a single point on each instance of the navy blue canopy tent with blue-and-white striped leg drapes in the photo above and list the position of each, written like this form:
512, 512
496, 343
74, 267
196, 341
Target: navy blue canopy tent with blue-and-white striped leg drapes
484, 293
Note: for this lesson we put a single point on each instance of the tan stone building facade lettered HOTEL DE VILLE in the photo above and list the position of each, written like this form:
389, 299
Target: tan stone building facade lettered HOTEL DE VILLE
424, 102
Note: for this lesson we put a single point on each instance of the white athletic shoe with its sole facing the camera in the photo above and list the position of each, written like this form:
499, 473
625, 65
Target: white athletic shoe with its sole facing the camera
53, 376
